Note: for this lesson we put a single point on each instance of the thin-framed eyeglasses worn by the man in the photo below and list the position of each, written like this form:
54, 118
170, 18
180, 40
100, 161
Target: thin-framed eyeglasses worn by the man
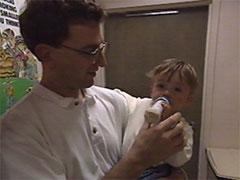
92, 52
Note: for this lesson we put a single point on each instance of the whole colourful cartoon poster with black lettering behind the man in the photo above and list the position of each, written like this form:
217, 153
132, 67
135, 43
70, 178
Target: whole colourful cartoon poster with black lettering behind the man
19, 68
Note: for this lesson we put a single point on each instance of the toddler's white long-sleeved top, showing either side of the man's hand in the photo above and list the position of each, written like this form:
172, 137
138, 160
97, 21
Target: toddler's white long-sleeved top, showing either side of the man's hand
135, 123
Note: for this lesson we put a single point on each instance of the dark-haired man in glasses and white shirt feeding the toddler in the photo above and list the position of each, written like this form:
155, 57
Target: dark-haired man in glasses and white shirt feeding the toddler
66, 128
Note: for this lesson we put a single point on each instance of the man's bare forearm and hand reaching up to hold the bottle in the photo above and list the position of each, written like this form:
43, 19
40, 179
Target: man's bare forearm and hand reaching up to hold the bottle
152, 145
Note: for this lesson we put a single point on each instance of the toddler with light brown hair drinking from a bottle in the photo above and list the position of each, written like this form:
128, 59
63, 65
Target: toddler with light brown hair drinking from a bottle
174, 82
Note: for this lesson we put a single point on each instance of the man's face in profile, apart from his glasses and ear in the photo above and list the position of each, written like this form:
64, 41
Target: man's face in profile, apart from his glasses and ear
75, 69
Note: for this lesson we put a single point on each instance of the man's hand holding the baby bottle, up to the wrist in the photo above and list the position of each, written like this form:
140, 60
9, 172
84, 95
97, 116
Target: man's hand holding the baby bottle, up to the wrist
161, 140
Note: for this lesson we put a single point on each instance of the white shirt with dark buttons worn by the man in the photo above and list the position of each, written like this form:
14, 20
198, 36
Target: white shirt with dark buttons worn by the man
48, 137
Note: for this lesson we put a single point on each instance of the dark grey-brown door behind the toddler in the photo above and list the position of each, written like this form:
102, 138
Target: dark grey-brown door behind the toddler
138, 42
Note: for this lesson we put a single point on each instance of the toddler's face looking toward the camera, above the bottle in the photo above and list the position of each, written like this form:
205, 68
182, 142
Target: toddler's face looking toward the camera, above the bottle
178, 91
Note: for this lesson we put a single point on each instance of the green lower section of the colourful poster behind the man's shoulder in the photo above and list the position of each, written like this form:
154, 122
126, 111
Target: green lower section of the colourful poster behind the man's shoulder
12, 90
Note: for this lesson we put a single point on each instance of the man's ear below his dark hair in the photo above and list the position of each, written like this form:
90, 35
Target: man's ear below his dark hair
43, 52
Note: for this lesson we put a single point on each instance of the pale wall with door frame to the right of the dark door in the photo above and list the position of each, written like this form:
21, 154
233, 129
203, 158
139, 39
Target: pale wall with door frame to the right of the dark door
221, 115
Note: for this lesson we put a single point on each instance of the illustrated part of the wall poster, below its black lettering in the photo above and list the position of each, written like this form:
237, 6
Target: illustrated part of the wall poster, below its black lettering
18, 69
